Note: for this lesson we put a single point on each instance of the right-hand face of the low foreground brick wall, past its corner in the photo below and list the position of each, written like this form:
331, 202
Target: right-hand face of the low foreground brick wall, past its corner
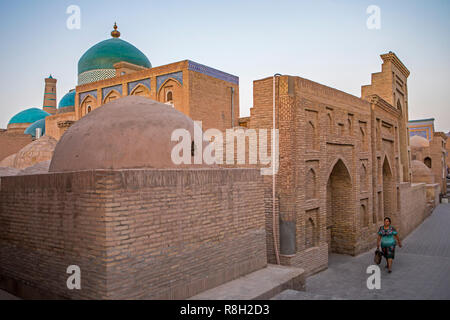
183, 231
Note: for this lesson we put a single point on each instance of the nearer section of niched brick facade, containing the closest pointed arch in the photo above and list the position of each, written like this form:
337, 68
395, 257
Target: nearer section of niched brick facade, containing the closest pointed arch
319, 131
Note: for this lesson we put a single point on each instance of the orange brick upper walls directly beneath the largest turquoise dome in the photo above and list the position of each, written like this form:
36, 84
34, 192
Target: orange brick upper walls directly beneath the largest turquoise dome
199, 96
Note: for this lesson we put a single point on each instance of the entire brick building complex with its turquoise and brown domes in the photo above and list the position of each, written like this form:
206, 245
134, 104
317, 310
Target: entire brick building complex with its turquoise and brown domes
108, 198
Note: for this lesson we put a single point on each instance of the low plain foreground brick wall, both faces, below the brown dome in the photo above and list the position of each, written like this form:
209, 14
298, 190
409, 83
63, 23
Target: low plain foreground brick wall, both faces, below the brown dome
141, 234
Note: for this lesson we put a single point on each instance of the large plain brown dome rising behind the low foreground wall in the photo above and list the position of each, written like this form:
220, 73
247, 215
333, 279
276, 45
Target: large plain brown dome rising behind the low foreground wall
131, 132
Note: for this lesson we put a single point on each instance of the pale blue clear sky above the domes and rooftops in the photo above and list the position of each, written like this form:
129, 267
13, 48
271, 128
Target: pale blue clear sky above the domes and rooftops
324, 41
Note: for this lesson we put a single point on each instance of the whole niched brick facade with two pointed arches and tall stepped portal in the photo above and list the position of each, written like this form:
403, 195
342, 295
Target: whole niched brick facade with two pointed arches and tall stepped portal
344, 165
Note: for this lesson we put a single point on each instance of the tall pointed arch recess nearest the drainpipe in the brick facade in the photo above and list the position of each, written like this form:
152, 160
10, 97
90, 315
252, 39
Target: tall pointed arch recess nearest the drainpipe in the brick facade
340, 210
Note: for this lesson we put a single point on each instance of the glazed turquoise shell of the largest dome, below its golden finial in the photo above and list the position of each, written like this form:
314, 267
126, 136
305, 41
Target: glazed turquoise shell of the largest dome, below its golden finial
106, 53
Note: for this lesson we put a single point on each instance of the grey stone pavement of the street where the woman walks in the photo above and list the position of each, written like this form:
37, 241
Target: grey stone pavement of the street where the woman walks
421, 269
